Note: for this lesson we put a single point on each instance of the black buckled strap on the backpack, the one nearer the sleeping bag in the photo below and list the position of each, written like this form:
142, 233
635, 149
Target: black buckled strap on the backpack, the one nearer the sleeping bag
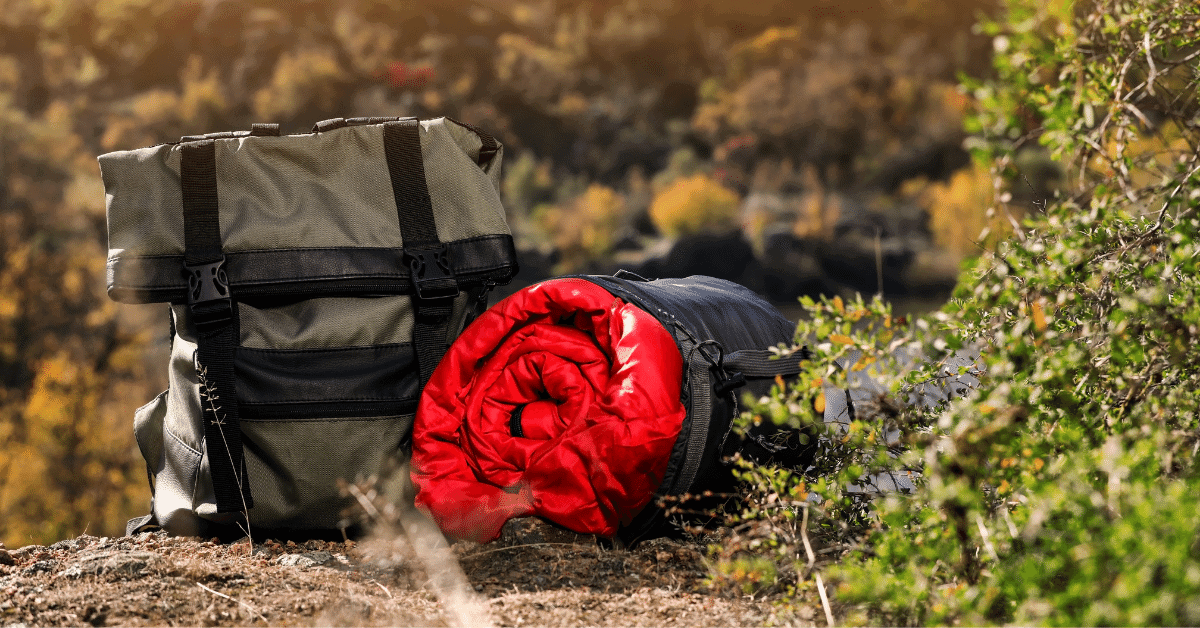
435, 286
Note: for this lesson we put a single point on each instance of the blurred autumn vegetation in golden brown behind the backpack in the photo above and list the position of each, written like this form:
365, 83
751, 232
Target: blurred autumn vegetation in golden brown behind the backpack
782, 143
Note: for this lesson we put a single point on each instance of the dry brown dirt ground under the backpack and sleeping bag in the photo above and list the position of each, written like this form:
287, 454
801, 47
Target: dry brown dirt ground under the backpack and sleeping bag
535, 576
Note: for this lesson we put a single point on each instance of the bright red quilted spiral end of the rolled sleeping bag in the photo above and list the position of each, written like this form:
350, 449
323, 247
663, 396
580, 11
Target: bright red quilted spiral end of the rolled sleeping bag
595, 384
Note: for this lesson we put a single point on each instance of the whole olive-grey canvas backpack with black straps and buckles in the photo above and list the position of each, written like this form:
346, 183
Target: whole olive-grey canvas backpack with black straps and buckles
315, 282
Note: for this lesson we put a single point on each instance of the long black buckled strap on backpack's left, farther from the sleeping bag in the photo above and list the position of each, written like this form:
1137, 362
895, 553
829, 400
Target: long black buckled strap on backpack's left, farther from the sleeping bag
213, 316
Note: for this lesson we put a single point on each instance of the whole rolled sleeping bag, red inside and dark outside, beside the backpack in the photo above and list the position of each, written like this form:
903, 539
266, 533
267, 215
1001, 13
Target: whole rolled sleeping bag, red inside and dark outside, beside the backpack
592, 400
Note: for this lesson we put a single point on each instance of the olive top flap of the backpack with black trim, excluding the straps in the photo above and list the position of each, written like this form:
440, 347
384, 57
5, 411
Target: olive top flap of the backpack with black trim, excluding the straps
305, 210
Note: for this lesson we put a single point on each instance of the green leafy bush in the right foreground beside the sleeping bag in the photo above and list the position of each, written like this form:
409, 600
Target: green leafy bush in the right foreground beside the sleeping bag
1064, 489
